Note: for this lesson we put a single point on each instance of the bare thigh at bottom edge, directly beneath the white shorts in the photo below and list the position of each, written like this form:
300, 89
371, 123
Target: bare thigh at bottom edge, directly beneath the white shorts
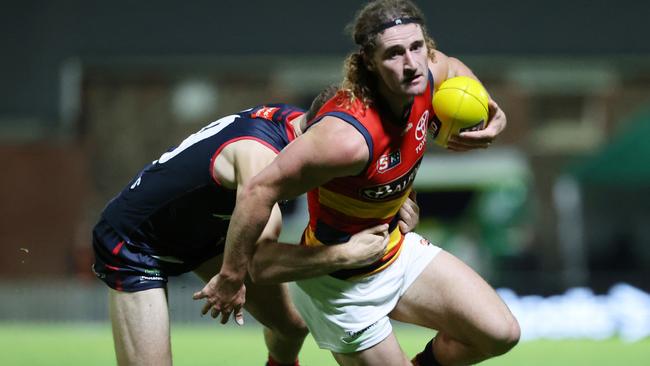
384, 353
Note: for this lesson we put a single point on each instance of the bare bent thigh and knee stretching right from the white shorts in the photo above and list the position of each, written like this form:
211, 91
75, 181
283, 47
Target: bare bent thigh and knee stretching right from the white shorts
449, 296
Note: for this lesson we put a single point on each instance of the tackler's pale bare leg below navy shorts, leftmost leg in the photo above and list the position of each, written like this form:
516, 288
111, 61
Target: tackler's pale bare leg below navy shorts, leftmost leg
140, 322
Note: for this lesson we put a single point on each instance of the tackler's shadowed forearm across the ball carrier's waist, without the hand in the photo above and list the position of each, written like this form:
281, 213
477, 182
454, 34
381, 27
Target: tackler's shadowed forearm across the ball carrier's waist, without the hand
278, 262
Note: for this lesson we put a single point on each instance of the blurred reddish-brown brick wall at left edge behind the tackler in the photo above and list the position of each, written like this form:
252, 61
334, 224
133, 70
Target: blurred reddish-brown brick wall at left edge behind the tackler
44, 190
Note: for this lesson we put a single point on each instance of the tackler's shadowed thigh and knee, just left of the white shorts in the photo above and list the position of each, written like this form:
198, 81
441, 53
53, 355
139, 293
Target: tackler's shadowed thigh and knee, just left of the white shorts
271, 305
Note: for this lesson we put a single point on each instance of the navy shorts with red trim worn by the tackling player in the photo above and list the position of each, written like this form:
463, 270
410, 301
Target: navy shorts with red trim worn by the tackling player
125, 267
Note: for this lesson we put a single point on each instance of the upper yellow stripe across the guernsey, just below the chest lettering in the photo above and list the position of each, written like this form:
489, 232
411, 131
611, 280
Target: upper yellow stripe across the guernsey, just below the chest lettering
356, 208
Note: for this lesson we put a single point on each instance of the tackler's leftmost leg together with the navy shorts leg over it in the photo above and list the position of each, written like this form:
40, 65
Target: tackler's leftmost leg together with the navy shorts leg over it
137, 299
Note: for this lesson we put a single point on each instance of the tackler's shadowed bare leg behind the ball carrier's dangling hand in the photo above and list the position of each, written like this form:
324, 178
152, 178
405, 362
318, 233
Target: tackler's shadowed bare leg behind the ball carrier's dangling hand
284, 329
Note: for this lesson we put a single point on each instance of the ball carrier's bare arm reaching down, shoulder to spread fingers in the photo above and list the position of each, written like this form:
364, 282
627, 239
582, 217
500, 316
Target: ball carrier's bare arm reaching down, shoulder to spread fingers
330, 149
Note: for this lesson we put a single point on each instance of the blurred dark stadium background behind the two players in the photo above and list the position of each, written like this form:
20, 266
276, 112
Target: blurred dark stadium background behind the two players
91, 92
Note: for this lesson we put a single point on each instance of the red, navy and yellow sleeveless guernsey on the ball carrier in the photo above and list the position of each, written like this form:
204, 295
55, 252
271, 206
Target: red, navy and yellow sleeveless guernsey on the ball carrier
348, 205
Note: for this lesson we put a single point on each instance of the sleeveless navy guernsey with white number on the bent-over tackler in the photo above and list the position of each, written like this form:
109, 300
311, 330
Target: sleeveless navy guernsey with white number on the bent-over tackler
174, 204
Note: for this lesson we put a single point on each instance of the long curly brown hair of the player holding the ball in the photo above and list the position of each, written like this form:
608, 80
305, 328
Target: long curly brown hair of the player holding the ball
358, 81
